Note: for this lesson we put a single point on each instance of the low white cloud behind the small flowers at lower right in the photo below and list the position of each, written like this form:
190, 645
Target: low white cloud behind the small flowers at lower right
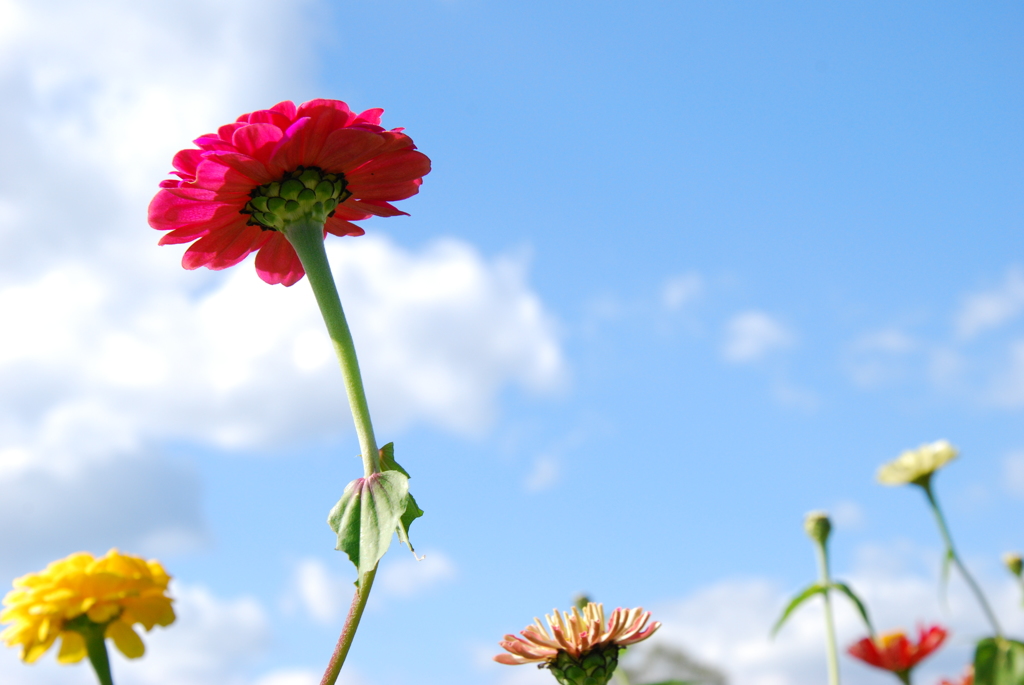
728, 625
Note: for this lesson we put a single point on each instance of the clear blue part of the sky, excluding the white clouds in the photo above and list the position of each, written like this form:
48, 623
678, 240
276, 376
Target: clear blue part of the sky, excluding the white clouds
847, 170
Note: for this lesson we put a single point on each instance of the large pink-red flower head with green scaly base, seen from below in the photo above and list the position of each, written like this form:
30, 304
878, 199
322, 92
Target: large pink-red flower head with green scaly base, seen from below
234, 194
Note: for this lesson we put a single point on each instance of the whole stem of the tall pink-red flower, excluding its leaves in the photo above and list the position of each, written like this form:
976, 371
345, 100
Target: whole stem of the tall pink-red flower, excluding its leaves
308, 239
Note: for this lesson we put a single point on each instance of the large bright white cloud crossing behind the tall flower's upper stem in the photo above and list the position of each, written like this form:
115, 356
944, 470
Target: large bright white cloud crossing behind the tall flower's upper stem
441, 332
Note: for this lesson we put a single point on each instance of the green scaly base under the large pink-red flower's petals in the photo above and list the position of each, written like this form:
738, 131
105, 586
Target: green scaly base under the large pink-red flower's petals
308, 193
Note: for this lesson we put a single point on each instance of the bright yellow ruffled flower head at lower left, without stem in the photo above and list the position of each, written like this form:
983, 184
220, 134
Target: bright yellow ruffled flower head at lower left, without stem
116, 592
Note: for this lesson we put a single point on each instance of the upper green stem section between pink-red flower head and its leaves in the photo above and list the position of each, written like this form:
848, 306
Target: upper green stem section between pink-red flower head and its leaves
308, 239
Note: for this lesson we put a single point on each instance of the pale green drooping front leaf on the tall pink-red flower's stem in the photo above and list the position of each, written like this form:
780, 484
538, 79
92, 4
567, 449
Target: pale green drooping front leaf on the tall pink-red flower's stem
368, 515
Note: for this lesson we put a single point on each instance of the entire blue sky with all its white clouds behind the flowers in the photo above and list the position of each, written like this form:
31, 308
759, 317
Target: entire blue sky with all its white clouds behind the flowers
682, 273
